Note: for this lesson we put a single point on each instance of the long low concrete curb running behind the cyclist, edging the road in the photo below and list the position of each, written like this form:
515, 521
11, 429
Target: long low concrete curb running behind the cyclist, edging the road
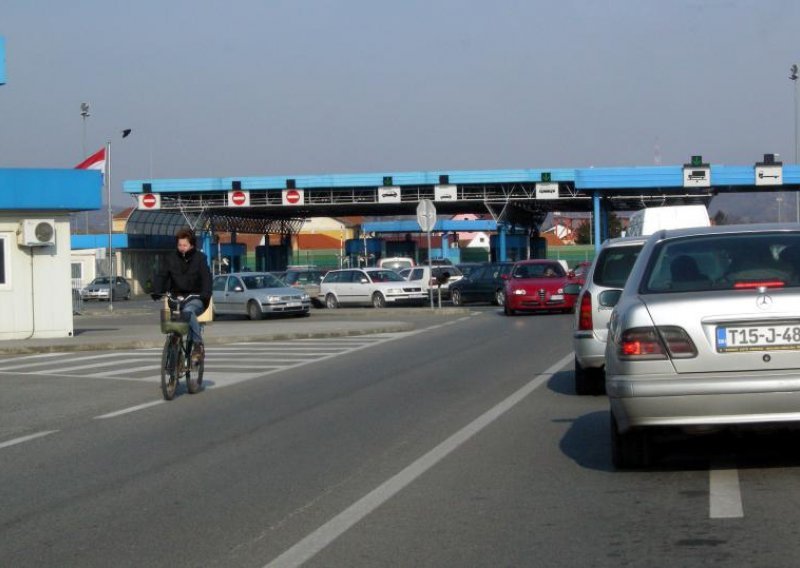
224, 340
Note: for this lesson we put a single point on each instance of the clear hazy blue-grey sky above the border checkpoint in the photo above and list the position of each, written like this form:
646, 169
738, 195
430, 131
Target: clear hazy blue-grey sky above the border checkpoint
294, 87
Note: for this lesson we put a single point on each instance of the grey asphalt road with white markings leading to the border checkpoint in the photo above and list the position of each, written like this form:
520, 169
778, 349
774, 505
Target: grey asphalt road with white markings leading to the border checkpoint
459, 444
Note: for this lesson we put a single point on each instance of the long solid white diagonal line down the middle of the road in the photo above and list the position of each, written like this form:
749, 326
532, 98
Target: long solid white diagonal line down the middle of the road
315, 542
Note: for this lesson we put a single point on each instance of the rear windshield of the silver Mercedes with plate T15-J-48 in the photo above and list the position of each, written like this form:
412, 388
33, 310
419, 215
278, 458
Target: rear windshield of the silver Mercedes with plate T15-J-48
724, 262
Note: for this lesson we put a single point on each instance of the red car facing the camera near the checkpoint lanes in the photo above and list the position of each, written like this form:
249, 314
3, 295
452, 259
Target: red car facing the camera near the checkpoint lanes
540, 285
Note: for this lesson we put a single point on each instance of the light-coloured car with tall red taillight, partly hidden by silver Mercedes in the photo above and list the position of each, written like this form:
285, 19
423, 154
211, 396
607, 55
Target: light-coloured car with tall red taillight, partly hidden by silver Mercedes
607, 275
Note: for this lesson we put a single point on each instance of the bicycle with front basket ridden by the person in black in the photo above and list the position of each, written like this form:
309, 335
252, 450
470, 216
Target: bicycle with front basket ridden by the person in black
176, 357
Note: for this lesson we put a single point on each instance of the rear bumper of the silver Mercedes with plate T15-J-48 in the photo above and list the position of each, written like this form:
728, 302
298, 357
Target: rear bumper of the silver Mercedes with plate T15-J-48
705, 399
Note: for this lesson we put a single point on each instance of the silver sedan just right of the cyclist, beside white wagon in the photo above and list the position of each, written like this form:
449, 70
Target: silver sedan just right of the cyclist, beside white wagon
257, 293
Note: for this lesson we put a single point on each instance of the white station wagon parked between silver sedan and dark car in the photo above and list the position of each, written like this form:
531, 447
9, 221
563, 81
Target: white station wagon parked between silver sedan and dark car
378, 287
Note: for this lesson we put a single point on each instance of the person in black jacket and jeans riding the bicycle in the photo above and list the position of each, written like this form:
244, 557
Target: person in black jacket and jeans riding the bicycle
184, 273
